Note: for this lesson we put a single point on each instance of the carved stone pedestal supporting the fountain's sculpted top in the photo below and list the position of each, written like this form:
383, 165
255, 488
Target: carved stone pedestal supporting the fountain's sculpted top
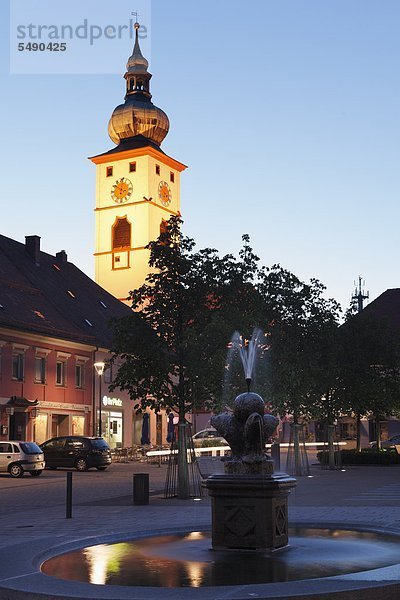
249, 511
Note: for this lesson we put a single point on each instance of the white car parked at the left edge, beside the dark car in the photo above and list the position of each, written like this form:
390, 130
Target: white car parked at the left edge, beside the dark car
17, 457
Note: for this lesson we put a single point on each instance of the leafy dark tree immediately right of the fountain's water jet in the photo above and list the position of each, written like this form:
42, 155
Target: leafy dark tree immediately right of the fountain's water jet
301, 336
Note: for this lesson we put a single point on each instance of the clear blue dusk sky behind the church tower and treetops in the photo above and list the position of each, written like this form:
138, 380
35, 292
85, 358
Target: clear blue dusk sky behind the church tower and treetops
285, 111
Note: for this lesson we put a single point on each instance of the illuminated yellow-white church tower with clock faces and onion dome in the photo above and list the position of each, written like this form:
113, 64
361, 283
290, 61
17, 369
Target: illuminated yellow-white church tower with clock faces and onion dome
137, 184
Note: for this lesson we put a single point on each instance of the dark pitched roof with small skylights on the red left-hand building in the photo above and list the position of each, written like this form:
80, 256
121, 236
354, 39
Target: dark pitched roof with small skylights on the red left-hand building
51, 296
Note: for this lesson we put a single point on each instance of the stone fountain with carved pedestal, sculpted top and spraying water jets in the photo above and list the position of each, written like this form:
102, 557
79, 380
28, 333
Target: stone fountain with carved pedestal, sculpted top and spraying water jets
249, 501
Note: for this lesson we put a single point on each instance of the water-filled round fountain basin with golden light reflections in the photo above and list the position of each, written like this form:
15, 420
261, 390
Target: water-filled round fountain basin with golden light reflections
177, 560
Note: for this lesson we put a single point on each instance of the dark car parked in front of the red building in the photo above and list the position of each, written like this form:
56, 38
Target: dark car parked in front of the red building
77, 451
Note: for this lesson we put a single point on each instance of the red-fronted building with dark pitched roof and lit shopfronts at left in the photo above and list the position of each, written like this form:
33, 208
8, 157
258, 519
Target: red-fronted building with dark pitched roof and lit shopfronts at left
54, 325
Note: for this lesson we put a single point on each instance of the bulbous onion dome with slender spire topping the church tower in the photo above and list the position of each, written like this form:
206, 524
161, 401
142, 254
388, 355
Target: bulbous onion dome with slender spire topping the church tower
138, 115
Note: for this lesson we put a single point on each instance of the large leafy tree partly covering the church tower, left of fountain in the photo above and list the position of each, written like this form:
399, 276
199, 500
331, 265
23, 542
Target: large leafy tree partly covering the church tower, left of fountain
173, 347
